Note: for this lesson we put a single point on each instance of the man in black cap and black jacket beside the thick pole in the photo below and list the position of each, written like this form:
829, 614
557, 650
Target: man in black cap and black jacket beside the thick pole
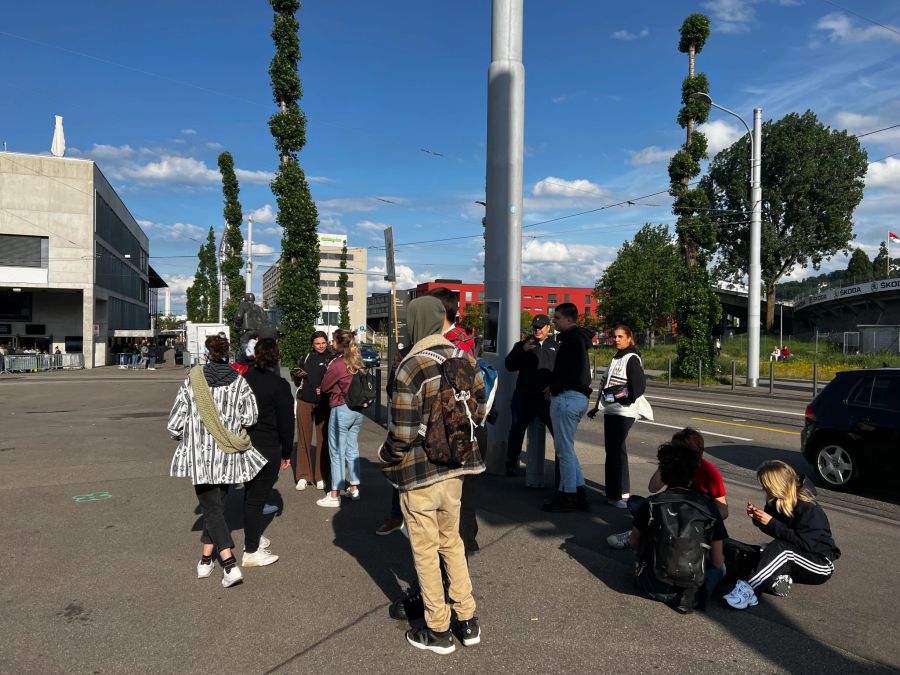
533, 360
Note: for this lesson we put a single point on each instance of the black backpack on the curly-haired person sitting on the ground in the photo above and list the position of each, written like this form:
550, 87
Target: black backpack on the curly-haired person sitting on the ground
681, 525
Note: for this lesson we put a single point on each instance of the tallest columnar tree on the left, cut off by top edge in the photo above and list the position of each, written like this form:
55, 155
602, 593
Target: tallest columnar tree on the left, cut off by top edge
298, 291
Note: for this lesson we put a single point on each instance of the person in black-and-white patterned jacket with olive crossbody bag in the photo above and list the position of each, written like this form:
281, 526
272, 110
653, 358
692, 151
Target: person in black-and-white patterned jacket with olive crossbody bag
212, 409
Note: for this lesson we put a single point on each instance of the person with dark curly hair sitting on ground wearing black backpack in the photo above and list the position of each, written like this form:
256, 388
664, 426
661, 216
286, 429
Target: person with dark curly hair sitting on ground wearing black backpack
678, 462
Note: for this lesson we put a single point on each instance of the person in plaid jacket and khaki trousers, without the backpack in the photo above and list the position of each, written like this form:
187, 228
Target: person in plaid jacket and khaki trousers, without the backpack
430, 494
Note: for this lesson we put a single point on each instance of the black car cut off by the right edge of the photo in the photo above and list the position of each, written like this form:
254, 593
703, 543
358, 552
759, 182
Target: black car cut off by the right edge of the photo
852, 430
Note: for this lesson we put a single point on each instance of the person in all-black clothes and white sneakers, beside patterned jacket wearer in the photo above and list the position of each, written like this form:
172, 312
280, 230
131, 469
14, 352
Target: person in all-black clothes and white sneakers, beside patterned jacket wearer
273, 436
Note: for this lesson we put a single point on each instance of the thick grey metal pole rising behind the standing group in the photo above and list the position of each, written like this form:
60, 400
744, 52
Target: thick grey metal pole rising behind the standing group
503, 231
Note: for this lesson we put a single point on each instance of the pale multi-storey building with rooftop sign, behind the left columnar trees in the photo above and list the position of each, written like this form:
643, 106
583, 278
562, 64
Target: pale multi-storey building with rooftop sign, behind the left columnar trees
330, 246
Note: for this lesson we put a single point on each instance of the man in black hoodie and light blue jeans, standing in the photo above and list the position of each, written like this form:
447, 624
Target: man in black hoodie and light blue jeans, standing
570, 388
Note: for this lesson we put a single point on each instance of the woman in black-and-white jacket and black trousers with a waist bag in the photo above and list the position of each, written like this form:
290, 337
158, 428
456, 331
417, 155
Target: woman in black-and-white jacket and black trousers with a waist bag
625, 384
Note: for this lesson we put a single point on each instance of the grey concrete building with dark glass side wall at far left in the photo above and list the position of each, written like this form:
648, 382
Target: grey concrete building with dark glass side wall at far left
74, 263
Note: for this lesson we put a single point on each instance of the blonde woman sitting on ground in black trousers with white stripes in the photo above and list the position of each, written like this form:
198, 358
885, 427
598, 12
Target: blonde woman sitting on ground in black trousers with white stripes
802, 547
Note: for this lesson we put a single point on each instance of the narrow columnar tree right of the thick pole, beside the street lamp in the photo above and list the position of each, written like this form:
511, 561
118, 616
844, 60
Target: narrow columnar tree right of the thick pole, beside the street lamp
697, 309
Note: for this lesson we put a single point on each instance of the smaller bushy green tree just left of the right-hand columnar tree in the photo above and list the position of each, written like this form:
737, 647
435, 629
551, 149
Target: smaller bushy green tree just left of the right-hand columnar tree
629, 295
